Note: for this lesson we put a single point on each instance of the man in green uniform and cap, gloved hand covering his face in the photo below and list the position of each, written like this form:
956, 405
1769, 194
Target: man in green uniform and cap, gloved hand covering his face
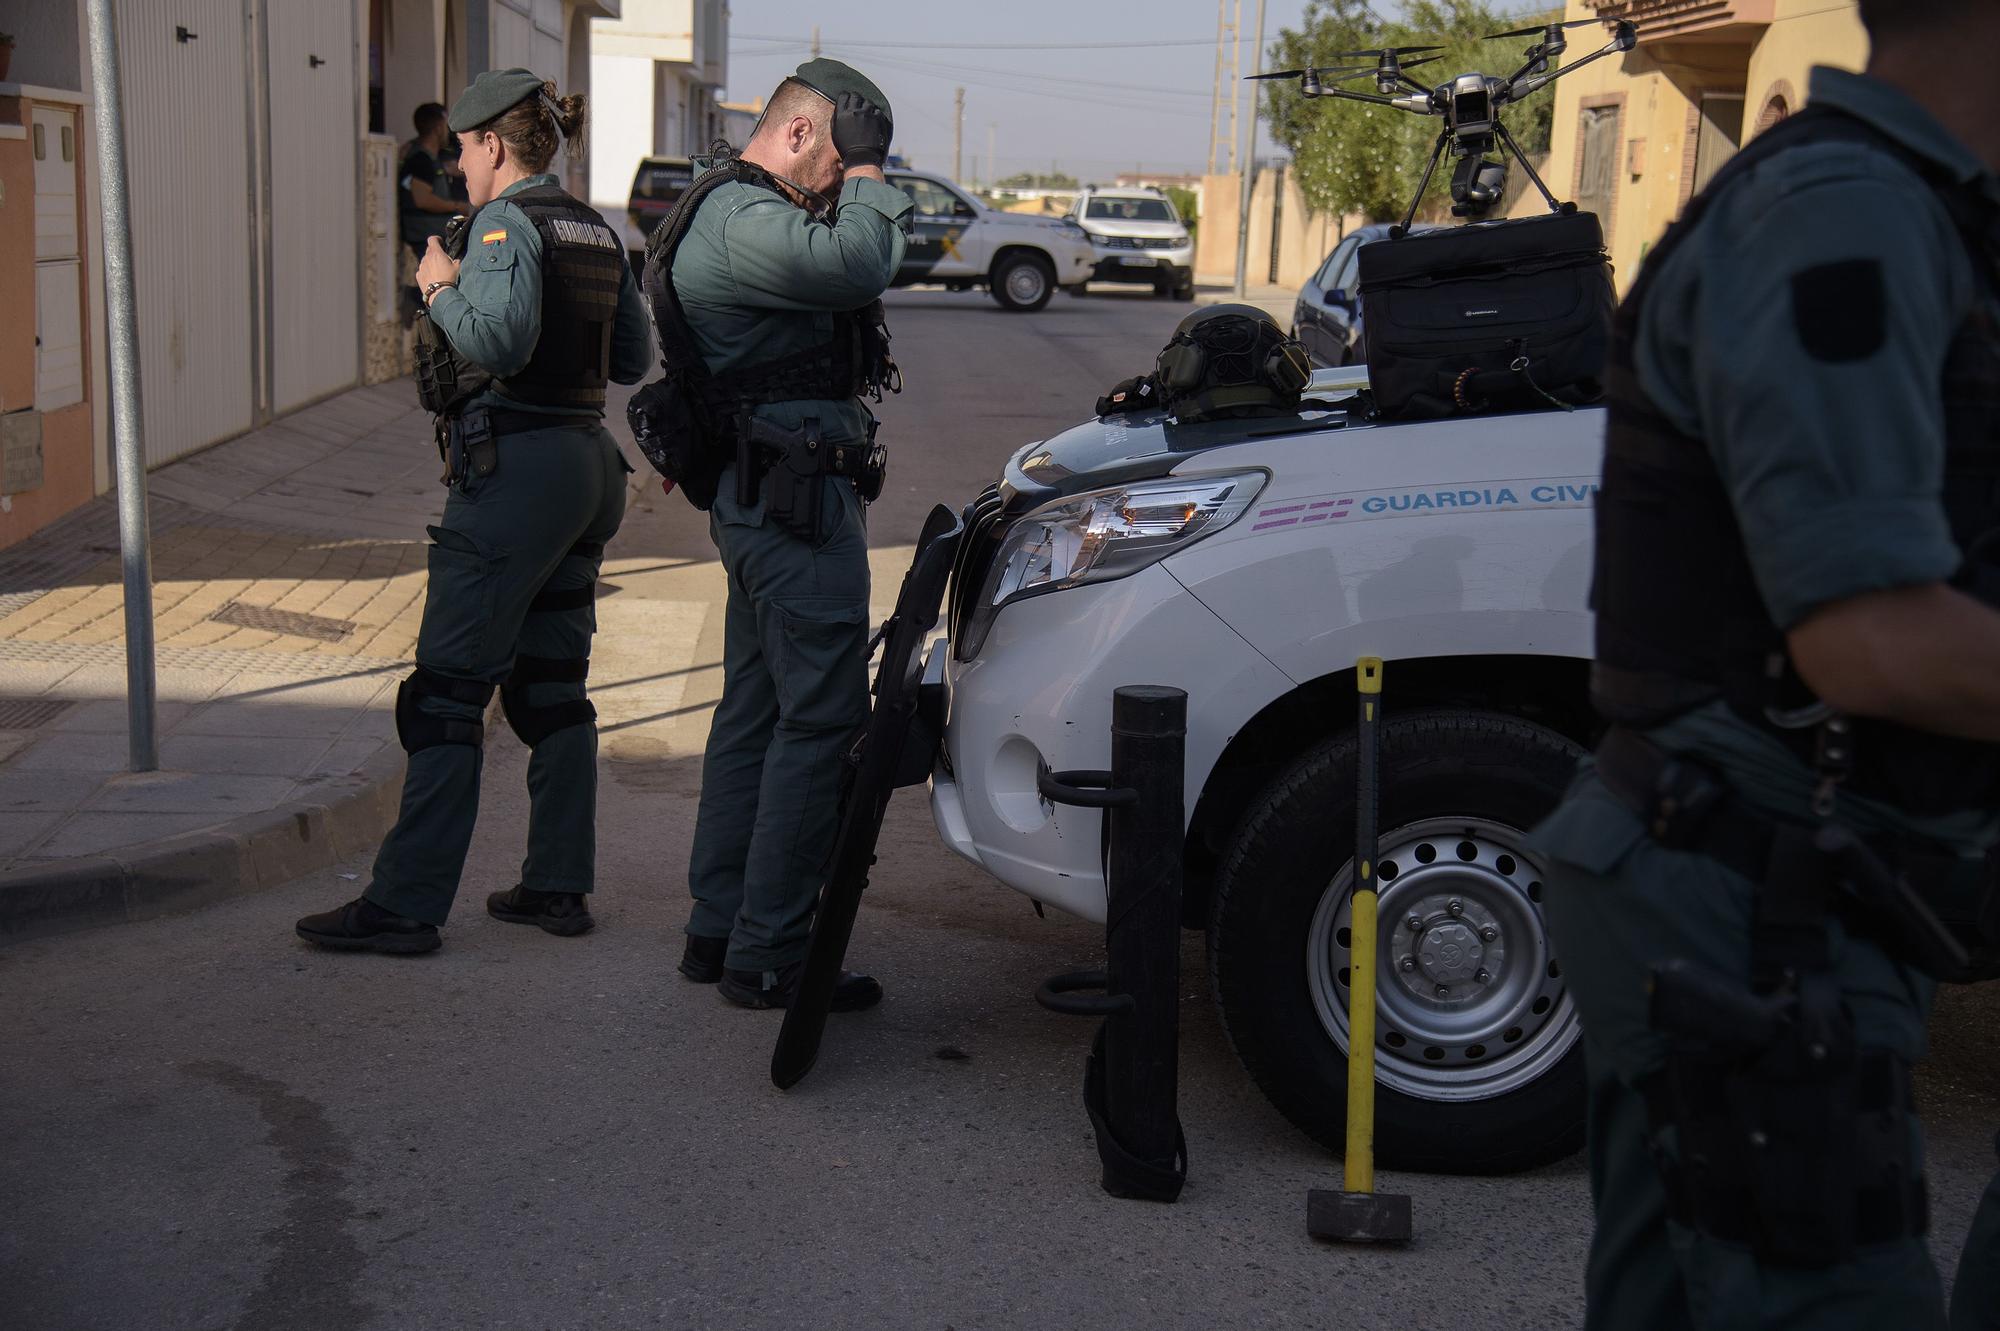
773, 267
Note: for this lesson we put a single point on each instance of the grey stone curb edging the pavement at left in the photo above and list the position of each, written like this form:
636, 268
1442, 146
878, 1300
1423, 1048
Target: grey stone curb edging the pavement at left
201, 868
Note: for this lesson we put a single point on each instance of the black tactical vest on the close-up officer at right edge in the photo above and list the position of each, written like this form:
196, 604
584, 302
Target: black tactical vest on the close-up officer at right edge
1679, 631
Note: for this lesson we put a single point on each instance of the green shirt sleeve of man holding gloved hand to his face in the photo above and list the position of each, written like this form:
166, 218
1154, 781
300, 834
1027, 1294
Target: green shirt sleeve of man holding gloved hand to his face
785, 261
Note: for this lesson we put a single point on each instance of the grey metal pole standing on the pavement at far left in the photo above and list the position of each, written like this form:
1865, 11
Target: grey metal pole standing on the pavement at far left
129, 445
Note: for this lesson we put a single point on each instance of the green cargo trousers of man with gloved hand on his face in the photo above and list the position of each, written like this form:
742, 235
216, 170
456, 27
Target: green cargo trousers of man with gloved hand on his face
795, 694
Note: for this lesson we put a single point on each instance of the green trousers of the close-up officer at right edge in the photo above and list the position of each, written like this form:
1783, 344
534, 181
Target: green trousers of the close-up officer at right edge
1617, 906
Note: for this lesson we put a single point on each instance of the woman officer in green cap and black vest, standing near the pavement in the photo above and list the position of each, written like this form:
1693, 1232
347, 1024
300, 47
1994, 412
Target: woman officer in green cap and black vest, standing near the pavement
527, 321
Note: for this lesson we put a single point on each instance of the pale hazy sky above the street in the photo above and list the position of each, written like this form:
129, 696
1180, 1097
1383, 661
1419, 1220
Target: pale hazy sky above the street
1125, 87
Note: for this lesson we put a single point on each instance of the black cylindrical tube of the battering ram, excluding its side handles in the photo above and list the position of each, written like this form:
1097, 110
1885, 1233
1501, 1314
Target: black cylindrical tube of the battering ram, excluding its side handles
1143, 920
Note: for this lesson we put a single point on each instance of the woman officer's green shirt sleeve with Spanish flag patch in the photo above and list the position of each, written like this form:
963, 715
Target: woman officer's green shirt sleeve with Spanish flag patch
495, 315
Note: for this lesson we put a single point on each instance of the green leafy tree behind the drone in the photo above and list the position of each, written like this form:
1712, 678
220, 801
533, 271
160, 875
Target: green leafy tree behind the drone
1349, 157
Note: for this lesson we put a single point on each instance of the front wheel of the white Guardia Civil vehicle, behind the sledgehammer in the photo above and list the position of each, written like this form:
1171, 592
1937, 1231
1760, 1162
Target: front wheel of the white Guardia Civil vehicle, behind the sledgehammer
1491, 1082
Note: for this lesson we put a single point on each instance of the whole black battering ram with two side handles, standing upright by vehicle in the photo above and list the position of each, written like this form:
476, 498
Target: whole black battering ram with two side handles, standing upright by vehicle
1133, 1074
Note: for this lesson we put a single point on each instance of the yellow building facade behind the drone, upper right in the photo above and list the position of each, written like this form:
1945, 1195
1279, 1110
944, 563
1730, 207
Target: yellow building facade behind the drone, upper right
1637, 135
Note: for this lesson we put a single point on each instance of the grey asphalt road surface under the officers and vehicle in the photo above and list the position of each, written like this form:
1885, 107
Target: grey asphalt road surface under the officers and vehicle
211, 1126
